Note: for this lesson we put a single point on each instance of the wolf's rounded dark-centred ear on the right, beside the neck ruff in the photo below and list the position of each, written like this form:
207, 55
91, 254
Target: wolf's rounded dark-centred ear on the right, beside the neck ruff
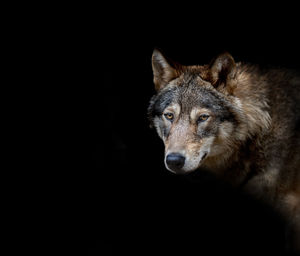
222, 69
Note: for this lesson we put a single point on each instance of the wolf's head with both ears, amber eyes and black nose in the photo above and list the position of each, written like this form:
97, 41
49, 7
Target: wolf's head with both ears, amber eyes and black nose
194, 111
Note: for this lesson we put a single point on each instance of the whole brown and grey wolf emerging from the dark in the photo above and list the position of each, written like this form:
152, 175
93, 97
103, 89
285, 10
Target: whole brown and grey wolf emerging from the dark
237, 120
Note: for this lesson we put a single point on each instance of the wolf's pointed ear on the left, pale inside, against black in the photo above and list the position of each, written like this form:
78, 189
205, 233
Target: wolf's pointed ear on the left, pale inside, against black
163, 70
